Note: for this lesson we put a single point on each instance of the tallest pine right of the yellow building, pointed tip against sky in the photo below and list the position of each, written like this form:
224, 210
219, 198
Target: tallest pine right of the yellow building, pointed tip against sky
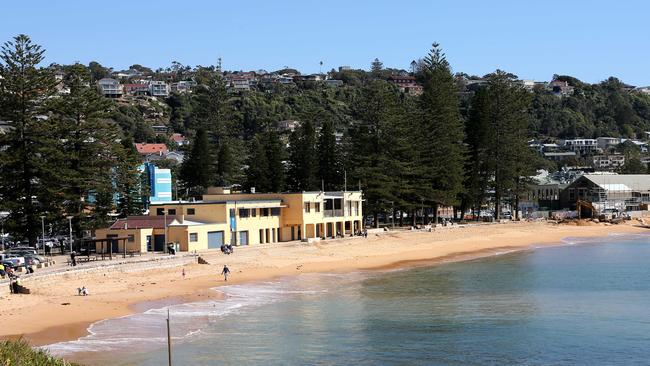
440, 135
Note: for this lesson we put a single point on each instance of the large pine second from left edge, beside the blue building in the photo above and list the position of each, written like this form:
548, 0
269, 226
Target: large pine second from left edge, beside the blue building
87, 146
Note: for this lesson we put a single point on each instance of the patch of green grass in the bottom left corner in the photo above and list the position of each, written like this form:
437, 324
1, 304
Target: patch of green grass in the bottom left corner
20, 353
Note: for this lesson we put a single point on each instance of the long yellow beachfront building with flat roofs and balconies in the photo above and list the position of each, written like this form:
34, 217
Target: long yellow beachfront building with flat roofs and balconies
222, 217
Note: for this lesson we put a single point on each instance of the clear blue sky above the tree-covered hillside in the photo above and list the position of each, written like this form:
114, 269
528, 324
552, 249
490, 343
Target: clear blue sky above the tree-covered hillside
534, 39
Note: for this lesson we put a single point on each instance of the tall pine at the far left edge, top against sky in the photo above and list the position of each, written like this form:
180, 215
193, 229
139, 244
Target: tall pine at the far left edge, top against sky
24, 89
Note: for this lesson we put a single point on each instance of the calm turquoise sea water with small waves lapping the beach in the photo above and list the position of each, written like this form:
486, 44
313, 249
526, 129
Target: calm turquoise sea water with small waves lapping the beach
566, 305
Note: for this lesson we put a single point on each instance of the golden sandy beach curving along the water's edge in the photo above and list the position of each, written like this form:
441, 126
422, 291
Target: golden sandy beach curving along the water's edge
54, 312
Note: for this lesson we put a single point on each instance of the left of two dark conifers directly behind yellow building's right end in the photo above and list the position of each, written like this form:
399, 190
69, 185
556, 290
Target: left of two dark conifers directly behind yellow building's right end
303, 159
